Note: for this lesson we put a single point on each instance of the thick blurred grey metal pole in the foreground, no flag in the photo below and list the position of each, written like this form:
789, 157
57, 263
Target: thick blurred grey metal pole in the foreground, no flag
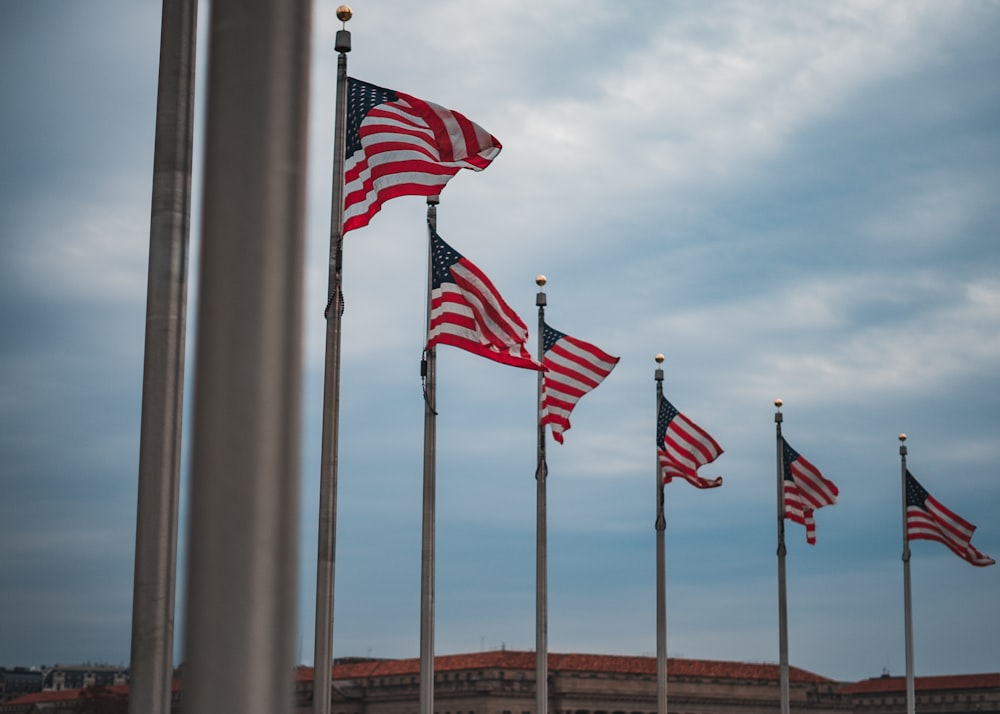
243, 533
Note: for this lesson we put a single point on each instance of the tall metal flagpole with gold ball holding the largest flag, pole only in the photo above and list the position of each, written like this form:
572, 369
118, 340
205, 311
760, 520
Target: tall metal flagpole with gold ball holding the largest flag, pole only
327, 527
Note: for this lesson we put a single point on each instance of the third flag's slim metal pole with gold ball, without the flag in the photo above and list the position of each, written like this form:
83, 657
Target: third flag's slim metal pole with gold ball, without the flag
541, 532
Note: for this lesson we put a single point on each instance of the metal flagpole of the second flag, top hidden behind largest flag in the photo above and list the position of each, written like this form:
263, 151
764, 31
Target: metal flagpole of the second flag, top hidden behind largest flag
428, 370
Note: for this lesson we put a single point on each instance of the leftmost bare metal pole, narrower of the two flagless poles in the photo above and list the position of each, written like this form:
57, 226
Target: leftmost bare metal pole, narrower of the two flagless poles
155, 575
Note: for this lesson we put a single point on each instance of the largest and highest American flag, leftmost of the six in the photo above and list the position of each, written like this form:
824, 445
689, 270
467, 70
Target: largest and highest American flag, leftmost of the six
398, 145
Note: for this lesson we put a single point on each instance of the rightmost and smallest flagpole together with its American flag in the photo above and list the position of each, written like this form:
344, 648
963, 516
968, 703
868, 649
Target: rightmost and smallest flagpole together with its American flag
926, 518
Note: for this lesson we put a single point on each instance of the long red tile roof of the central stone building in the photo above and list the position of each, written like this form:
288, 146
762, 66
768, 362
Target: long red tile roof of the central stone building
608, 664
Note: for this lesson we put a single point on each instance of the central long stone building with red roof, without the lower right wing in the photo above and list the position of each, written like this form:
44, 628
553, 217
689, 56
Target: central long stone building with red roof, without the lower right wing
503, 682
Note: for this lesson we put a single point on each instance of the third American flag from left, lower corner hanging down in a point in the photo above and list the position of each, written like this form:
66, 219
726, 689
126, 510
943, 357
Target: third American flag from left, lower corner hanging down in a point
572, 368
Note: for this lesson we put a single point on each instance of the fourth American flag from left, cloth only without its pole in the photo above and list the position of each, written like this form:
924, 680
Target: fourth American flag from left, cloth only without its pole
683, 447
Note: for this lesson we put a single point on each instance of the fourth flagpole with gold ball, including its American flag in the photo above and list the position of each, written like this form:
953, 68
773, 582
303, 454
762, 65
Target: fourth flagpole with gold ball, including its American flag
682, 447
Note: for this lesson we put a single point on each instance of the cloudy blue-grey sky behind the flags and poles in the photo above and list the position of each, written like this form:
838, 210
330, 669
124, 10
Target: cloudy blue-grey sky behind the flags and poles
794, 200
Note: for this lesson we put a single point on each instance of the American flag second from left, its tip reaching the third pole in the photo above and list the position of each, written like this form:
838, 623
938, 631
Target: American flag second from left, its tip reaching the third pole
468, 312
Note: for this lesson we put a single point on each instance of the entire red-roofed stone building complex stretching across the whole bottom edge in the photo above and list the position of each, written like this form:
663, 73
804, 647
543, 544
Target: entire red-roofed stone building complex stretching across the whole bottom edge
503, 682
